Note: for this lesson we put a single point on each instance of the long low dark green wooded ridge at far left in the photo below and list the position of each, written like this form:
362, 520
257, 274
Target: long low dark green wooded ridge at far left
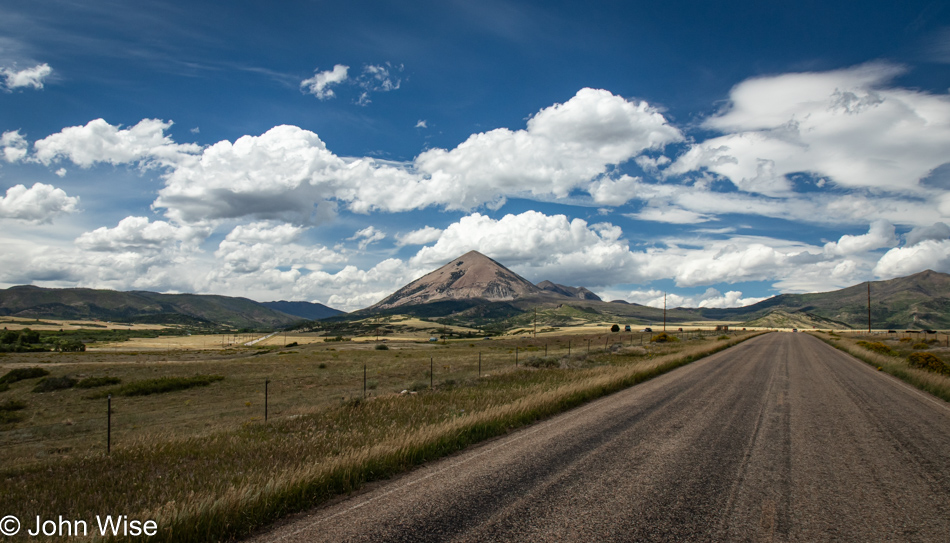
139, 306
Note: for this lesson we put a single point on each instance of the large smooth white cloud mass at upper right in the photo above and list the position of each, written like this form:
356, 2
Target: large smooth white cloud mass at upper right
846, 125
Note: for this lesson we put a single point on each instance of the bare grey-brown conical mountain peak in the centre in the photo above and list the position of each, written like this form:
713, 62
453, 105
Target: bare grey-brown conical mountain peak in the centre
470, 276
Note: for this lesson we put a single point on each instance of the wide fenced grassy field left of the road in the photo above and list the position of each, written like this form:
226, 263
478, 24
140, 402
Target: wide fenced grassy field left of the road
202, 462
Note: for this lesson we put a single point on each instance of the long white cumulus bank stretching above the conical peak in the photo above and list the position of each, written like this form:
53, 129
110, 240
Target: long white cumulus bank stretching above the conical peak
286, 171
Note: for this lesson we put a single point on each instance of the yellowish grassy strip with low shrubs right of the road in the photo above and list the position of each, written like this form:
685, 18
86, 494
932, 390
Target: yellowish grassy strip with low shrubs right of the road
889, 352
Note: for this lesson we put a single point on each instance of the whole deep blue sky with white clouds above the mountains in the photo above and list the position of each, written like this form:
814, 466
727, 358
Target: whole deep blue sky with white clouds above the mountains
333, 152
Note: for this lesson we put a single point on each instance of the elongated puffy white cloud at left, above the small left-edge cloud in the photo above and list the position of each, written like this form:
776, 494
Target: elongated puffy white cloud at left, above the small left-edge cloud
99, 141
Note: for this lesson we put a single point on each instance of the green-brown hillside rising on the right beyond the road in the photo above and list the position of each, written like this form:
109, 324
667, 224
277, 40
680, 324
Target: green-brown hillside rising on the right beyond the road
919, 301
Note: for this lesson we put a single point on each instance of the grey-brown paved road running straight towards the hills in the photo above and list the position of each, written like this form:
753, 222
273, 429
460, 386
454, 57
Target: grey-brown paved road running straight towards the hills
780, 438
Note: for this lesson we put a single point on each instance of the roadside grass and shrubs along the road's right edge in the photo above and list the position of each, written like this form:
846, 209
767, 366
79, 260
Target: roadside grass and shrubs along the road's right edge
921, 363
